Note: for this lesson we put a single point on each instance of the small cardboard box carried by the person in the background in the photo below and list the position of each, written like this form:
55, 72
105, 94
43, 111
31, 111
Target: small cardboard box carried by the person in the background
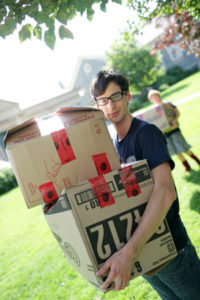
161, 115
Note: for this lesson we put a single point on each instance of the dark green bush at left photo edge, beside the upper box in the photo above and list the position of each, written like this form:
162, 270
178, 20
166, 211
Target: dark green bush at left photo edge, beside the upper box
7, 180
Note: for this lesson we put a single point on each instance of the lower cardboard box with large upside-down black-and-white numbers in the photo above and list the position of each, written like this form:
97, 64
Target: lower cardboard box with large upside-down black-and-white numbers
94, 219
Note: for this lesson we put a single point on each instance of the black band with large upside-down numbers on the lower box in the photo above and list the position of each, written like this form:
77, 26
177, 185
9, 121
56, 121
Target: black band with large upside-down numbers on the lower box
109, 235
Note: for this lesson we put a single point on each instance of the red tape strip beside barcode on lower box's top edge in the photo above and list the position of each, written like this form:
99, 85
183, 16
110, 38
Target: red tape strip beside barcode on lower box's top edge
102, 191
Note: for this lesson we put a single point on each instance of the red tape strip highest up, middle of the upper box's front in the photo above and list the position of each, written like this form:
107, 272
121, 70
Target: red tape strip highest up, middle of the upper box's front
63, 146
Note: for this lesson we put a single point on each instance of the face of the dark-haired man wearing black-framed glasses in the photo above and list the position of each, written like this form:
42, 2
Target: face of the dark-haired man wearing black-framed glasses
115, 111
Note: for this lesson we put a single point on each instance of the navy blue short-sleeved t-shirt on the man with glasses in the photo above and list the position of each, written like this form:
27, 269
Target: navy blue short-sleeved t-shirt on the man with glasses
145, 141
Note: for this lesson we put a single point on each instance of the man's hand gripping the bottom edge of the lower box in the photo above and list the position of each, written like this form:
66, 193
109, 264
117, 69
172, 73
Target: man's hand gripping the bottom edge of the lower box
119, 268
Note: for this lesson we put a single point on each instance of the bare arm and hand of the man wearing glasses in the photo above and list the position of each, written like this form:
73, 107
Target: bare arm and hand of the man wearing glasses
119, 265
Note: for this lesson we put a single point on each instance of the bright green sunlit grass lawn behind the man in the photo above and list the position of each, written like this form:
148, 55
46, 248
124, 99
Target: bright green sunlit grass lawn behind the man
32, 265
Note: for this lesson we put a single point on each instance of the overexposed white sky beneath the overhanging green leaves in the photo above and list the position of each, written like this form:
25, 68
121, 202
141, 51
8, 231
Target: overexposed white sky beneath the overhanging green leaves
30, 72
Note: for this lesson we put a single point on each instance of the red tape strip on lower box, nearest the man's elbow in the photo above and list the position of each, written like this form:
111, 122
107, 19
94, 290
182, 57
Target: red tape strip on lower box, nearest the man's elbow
129, 181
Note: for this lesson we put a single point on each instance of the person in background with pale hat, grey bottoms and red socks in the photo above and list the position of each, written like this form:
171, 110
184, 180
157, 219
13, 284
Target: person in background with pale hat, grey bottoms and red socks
176, 142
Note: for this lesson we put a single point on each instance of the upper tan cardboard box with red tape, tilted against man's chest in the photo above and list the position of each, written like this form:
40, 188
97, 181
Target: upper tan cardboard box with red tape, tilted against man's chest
45, 159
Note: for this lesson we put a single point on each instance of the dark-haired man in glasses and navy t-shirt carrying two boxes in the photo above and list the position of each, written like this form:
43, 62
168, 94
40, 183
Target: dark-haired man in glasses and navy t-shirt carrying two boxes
135, 140
